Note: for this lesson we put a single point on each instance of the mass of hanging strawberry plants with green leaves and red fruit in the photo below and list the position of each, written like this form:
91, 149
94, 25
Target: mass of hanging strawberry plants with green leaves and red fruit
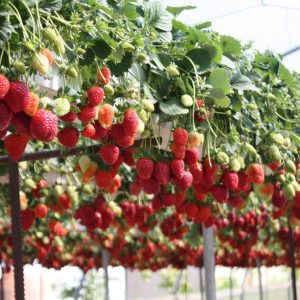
188, 126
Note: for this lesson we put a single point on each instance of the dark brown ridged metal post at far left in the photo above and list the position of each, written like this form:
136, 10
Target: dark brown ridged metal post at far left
14, 183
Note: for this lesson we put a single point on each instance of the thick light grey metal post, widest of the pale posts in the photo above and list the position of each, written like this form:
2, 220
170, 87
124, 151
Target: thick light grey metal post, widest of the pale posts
209, 263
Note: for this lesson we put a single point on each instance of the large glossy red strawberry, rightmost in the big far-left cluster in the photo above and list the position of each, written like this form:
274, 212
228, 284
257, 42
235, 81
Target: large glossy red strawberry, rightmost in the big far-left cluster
44, 126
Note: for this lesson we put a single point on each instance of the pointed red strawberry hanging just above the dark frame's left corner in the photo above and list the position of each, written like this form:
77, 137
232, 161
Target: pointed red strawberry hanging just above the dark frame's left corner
15, 145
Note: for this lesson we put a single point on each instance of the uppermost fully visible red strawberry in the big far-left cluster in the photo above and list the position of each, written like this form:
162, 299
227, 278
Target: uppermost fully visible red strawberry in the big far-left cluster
18, 96
